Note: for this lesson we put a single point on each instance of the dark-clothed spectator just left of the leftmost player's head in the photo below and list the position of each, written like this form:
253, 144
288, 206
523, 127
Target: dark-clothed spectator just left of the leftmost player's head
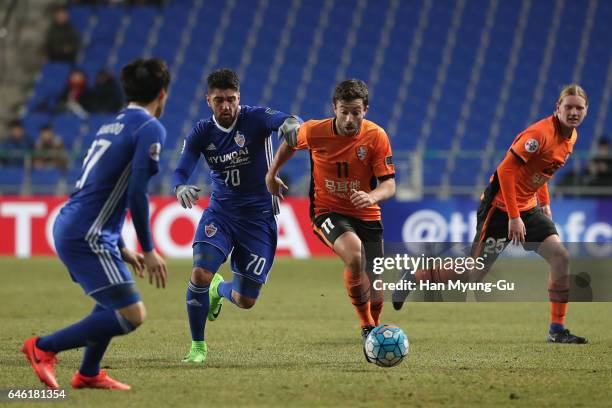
105, 96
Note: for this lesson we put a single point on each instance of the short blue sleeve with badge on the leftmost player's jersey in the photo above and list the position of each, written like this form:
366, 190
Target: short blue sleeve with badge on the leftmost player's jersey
149, 141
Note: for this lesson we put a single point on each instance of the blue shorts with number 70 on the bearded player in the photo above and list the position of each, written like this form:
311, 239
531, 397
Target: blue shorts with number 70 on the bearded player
251, 243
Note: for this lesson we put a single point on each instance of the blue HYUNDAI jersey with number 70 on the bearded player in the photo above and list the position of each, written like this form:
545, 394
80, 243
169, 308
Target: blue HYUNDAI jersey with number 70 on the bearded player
238, 158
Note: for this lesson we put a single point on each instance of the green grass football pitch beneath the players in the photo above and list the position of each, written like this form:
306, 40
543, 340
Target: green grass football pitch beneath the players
300, 346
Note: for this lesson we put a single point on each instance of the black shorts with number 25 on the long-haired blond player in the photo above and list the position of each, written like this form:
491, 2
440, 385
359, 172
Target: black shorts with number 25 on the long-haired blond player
492, 231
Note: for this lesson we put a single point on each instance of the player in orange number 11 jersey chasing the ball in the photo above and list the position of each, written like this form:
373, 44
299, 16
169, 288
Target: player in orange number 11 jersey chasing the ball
352, 171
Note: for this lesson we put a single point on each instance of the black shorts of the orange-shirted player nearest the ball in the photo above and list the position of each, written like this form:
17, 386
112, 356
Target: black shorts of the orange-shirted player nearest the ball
329, 226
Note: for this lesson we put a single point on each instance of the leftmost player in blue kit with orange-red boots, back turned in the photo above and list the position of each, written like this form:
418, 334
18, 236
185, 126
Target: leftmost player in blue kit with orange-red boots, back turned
116, 171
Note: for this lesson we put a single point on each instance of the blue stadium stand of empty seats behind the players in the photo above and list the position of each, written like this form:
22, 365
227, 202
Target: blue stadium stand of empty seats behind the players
460, 78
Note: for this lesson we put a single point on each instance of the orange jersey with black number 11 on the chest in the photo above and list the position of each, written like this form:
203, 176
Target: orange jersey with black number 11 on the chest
344, 163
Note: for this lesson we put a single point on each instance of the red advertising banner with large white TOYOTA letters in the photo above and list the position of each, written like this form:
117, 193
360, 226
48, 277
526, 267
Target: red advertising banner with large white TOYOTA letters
26, 225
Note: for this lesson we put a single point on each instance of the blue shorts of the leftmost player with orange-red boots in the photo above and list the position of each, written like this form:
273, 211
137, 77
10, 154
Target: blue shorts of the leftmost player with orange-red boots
97, 266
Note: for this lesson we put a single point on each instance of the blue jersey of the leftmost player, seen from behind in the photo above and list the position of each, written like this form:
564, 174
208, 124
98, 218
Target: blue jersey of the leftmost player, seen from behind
129, 144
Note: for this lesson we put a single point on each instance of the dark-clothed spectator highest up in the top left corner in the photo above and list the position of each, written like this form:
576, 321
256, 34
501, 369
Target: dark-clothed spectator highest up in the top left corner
63, 40
